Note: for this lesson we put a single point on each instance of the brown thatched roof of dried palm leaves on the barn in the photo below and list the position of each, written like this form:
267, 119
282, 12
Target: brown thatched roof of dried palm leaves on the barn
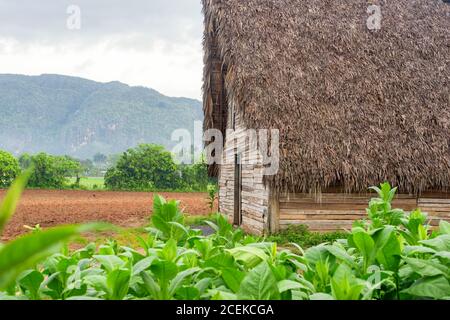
354, 107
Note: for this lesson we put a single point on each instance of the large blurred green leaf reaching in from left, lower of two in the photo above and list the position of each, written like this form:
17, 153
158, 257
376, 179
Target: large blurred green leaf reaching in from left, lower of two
27, 250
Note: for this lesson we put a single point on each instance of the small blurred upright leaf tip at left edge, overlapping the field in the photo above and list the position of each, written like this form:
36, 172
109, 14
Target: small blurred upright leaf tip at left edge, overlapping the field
9, 203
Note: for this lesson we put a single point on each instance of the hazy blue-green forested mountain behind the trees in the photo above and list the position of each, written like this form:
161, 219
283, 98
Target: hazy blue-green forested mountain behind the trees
68, 115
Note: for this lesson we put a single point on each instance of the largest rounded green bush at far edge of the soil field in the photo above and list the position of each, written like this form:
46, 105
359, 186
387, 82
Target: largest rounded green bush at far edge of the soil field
146, 167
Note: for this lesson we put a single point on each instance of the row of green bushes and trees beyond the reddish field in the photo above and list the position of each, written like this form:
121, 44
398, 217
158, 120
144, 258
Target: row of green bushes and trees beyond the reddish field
147, 167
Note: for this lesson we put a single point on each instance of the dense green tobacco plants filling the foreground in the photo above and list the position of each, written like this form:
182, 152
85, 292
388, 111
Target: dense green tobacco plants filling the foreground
374, 261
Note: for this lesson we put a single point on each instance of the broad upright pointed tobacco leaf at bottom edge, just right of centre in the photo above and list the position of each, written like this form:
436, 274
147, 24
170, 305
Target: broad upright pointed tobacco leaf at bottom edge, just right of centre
259, 284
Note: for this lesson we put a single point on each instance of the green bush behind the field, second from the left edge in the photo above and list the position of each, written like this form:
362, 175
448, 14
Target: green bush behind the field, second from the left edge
52, 171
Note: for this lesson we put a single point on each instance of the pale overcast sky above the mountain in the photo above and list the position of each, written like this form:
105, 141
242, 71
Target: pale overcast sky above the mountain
152, 43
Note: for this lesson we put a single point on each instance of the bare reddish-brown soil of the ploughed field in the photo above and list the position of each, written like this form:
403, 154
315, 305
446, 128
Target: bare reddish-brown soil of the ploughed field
126, 209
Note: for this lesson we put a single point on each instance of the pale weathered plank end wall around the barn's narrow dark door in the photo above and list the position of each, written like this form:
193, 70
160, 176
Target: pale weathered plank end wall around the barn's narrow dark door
254, 194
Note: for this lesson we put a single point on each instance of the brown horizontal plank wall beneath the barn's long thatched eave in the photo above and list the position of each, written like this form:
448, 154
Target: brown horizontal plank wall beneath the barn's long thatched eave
337, 211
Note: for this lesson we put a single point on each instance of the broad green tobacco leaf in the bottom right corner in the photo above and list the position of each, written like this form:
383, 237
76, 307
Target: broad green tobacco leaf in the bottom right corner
435, 287
